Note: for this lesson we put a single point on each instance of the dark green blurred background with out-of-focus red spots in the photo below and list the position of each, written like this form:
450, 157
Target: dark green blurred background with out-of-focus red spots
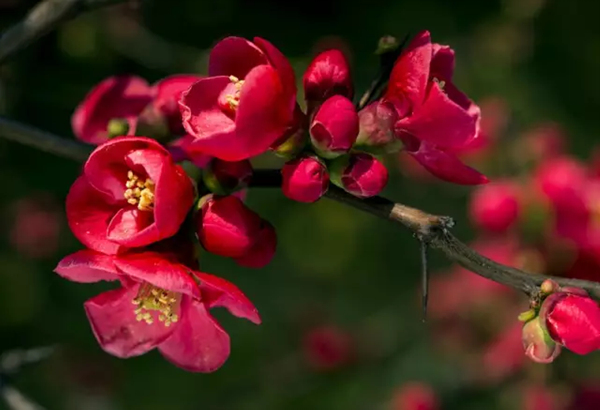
340, 302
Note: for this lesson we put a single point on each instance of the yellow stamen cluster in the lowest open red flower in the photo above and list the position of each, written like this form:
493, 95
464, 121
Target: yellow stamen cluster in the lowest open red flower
154, 299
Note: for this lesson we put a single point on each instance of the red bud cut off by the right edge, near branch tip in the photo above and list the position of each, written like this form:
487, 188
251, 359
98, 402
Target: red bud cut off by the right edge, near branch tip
573, 320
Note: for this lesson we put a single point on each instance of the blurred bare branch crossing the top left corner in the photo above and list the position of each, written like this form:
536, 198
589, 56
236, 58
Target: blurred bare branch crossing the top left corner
42, 19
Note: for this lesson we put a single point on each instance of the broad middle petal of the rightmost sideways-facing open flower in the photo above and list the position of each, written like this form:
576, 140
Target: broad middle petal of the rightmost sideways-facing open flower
440, 121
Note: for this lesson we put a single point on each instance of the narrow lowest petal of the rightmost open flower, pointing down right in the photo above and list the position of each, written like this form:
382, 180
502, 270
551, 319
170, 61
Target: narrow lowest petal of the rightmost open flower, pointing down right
447, 167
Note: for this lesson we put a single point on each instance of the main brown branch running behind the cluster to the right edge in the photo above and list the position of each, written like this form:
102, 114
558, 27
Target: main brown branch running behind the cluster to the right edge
434, 230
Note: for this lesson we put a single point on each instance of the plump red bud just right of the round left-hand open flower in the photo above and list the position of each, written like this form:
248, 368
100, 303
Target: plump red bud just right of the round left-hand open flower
227, 227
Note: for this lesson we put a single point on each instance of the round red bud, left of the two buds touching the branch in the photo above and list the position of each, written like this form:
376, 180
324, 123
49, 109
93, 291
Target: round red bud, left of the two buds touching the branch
305, 179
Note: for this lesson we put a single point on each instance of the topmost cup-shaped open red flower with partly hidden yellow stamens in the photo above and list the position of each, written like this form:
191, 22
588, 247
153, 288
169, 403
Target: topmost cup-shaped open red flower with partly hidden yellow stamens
246, 105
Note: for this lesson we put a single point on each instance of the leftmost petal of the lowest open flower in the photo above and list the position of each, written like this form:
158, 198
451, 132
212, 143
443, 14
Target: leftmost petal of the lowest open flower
87, 266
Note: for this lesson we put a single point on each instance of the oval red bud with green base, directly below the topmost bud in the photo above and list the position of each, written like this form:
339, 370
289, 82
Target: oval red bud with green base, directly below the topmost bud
334, 129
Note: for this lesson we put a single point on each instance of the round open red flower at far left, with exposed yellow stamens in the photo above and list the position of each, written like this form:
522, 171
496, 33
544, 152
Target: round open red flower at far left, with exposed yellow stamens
131, 194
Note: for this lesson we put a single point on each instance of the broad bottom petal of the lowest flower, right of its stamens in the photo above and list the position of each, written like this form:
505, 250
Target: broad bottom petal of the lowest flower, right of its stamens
199, 344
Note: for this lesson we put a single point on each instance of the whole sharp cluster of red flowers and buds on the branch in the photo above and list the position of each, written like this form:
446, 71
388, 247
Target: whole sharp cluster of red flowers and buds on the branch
138, 211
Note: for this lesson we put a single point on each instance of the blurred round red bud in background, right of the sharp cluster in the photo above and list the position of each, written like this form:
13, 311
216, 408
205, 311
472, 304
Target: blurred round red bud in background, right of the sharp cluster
495, 207
